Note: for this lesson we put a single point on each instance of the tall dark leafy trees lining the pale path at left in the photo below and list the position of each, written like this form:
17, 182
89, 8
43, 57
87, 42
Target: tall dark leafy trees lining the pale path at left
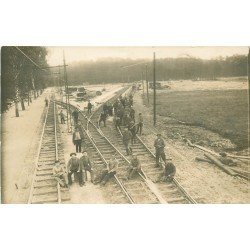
23, 75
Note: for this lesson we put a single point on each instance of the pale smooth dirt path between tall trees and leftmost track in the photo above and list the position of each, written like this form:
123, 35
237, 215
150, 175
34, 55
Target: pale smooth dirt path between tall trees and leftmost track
20, 138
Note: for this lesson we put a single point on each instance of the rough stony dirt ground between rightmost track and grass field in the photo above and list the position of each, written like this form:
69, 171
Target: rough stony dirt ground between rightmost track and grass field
203, 181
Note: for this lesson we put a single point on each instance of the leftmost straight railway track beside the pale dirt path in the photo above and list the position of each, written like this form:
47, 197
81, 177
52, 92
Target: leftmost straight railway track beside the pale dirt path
44, 188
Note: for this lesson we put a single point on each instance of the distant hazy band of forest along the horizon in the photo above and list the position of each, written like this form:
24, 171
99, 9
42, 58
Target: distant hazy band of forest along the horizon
110, 70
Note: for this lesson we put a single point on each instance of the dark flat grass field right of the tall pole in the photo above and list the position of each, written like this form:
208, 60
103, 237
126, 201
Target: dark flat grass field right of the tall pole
222, 111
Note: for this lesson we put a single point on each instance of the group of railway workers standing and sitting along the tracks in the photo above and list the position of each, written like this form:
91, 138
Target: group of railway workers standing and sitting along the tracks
124, 114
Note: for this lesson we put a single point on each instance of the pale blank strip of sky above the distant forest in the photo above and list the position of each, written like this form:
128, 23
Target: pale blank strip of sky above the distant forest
73, 54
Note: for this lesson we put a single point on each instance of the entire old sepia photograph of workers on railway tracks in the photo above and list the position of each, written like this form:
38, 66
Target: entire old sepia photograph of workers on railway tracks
125, 125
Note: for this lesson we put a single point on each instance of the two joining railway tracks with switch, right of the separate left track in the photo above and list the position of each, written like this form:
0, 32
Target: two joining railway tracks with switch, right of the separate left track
141, 189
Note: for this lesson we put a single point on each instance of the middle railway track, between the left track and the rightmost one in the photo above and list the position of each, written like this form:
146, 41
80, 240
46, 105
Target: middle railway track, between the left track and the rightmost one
101, 149
